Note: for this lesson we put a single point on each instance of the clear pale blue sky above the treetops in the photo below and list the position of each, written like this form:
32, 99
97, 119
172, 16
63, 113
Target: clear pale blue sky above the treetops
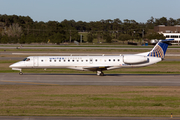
91, 10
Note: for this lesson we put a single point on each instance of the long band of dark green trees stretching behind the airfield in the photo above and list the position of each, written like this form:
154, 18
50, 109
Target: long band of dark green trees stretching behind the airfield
22, 29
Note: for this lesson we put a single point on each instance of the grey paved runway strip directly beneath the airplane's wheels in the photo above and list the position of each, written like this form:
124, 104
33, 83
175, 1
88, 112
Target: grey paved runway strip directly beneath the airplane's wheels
90, 79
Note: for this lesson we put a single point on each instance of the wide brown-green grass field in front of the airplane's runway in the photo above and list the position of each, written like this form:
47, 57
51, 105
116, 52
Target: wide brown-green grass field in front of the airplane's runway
34, 100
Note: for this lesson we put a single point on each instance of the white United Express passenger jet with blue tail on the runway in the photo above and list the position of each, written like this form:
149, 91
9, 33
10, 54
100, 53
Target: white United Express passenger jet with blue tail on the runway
96, 63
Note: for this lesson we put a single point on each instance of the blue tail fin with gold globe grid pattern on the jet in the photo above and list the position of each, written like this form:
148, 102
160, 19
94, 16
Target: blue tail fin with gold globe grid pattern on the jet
160, 48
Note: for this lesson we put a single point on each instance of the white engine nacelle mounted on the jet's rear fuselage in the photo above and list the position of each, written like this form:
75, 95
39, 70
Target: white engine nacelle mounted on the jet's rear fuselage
134, 59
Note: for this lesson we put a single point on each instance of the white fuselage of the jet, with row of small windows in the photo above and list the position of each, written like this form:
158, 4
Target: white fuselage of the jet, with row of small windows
91, 63
